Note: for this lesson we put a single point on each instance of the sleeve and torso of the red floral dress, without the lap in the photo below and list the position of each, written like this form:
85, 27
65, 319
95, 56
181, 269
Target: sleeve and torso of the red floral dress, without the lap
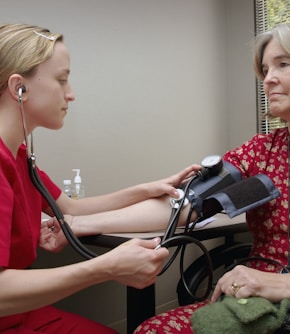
267, 154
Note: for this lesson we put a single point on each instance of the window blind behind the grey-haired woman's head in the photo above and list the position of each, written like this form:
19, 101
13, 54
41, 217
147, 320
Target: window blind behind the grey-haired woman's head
268, 13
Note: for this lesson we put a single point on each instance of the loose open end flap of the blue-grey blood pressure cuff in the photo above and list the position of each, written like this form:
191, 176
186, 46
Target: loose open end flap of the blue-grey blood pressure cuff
244, 195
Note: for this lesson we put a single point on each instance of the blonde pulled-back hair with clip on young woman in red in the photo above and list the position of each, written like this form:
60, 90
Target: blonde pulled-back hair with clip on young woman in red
22, 48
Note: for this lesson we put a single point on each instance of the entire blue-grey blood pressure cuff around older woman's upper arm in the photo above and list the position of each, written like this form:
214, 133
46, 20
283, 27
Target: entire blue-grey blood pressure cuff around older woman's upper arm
229, 192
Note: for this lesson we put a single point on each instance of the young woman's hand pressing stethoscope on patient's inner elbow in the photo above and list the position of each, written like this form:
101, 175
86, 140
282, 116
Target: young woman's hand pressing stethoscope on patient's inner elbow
168, 185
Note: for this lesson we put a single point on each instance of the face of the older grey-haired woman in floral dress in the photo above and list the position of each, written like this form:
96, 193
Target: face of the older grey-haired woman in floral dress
276, 68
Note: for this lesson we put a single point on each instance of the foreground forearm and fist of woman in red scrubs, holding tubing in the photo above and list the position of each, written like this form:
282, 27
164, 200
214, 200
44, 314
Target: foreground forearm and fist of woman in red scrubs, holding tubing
135, 263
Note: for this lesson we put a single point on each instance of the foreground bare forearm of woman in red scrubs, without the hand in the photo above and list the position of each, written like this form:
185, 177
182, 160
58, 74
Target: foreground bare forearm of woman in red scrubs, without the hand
25, 290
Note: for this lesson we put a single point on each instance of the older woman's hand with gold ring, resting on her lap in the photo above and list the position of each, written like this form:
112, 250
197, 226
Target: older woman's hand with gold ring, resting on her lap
244, 282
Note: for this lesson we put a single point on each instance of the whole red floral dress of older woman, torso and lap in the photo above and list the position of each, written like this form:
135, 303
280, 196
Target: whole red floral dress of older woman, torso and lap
266, 154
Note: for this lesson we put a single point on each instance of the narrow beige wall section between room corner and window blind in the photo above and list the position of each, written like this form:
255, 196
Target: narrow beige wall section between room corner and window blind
241, 90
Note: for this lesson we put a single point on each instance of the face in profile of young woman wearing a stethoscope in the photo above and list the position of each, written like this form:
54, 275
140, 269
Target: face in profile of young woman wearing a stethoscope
49, 92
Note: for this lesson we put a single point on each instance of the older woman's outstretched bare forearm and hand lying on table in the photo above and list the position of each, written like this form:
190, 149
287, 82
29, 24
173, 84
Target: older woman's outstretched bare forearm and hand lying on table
146, 216
